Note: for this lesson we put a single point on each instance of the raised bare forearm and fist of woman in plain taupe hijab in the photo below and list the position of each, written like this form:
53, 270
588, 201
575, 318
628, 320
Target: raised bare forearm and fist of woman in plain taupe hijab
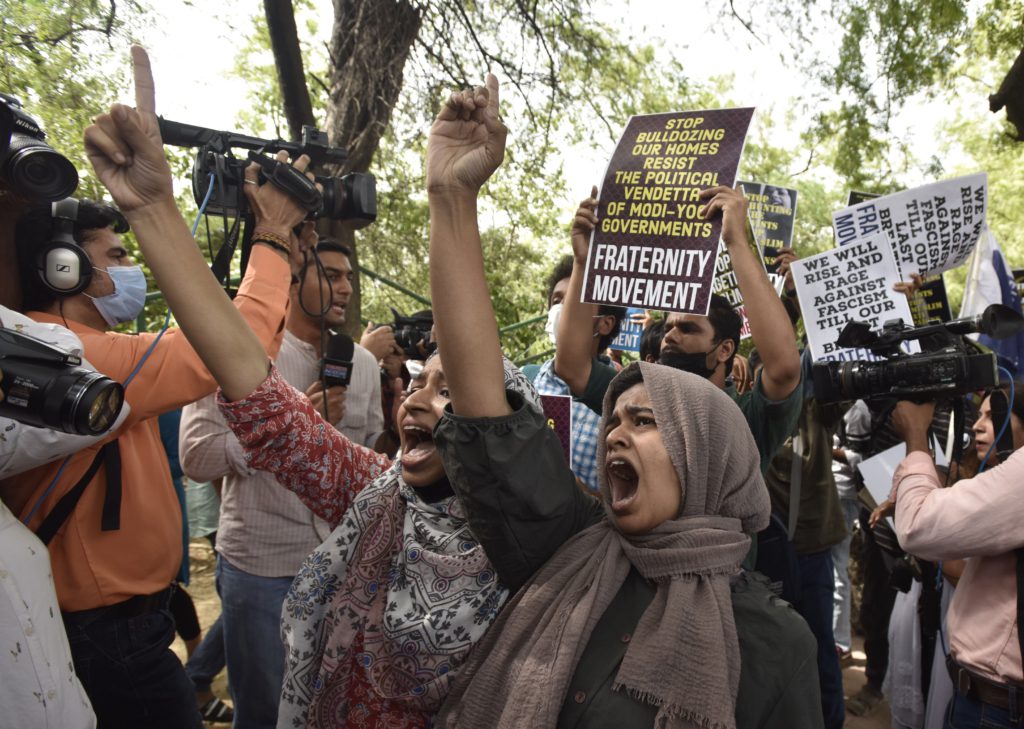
466, 146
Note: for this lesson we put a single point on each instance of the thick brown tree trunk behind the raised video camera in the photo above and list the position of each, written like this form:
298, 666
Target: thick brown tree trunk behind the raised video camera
370, 44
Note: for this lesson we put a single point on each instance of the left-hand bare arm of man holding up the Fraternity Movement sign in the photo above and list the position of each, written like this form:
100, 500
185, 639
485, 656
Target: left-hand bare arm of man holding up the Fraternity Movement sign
576, 333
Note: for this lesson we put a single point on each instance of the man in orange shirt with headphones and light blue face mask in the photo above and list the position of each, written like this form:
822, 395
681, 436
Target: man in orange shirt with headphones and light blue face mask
115, 552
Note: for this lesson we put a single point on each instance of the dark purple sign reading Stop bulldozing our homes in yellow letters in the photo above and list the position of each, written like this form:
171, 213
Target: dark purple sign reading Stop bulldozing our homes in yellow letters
652, 248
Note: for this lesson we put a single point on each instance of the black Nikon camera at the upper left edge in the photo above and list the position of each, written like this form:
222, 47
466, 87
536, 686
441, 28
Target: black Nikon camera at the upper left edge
28, 165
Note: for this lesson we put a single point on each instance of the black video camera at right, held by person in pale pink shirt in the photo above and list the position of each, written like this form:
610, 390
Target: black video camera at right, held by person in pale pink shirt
952, 366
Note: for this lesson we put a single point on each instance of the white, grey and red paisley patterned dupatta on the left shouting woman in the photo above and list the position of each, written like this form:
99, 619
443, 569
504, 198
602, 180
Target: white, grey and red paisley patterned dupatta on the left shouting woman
395, 599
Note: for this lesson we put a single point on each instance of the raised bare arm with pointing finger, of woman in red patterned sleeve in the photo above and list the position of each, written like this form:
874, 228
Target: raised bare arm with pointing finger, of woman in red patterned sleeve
126, 152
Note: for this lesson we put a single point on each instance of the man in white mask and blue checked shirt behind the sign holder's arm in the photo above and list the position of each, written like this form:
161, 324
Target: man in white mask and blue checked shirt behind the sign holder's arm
604, 328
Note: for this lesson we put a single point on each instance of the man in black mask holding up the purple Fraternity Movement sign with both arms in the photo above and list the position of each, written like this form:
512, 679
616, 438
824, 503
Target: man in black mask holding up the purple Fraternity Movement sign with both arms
703, 346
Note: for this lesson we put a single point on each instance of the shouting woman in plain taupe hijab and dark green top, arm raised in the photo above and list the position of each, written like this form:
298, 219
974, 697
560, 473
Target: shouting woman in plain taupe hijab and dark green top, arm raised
645, 619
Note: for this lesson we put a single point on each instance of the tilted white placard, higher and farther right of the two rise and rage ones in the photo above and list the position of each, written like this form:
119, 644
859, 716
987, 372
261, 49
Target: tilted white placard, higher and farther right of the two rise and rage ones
931, 229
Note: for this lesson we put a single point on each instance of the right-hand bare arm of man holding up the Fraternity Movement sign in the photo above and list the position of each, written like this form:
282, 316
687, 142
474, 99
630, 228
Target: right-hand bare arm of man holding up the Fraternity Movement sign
771, 326
